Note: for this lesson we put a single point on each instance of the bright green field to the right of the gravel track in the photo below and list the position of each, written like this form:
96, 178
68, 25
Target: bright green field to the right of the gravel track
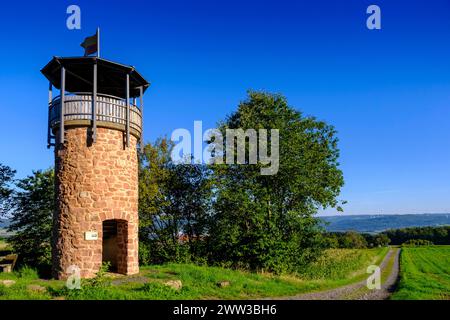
424, 273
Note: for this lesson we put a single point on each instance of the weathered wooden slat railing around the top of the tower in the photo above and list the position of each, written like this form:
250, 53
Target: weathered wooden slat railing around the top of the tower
110, 109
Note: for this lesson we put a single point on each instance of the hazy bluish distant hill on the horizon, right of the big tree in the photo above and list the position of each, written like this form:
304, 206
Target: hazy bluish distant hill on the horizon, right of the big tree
379, 223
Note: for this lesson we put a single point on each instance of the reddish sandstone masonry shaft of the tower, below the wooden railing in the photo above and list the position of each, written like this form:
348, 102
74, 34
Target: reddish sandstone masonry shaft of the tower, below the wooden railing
95, 183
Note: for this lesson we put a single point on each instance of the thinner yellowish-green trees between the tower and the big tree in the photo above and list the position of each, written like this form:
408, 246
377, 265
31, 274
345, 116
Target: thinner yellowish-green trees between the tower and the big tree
173, 206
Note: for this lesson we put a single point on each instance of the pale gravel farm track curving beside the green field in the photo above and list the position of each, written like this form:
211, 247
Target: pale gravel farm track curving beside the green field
358, 291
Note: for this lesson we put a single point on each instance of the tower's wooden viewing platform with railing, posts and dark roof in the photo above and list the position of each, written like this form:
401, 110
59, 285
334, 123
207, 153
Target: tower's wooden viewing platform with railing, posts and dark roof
94, 92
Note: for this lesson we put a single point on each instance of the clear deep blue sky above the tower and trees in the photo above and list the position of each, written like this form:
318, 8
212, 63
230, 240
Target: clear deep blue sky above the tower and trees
386, 91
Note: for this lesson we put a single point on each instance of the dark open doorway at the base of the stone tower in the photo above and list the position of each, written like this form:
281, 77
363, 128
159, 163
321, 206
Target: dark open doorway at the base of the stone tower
115, 234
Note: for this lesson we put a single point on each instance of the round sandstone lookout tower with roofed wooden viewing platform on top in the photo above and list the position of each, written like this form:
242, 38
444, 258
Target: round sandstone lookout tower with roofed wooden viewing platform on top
95, 126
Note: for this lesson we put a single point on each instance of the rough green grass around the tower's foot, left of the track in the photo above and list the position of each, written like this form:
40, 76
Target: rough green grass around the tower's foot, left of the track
336, 268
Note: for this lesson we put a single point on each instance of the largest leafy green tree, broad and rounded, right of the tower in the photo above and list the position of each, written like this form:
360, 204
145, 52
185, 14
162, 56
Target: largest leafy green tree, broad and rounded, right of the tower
267, 221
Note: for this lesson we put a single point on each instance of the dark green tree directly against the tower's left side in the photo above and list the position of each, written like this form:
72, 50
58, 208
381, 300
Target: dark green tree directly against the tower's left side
31, 219
